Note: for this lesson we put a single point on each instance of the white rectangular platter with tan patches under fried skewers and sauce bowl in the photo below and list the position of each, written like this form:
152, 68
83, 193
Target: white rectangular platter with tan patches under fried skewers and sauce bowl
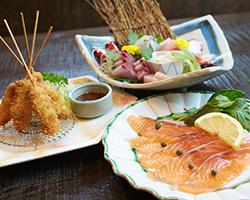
86, 132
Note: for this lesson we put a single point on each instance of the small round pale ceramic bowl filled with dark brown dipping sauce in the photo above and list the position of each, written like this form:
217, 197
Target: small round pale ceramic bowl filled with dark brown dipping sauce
91, 99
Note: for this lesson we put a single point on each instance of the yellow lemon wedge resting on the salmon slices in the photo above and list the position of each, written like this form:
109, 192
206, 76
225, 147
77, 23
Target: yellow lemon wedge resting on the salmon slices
223, 125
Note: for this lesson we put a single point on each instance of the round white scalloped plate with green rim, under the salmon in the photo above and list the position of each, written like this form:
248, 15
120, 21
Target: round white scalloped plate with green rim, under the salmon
123, 159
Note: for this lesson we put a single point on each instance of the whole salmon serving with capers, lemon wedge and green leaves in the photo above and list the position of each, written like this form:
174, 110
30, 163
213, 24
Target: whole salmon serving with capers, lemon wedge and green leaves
197, 151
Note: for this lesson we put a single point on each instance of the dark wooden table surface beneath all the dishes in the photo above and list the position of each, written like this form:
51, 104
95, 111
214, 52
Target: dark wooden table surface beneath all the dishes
84, 173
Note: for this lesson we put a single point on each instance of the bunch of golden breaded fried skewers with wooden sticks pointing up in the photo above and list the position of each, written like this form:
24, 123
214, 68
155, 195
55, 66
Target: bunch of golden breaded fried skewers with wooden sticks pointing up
31, 95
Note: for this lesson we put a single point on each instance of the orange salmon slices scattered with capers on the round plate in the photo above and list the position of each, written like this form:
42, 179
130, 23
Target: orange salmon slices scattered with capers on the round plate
187, 157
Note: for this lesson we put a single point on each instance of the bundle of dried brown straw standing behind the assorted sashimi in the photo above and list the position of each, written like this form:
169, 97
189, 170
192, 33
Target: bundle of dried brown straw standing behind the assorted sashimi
139, 16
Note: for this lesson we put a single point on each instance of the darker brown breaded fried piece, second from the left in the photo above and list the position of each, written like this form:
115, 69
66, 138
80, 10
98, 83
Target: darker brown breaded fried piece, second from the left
20, 110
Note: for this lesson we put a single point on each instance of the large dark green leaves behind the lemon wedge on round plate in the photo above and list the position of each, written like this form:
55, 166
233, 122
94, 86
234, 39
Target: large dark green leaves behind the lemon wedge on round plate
230, 102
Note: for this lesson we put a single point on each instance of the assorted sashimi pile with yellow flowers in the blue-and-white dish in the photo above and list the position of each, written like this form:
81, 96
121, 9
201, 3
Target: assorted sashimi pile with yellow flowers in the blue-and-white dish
146, 58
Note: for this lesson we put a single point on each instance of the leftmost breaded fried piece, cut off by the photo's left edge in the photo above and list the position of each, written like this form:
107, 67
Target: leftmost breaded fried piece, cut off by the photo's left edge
5, 105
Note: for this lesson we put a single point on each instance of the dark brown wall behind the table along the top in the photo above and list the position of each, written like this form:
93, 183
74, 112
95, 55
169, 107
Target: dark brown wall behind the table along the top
76, 14
